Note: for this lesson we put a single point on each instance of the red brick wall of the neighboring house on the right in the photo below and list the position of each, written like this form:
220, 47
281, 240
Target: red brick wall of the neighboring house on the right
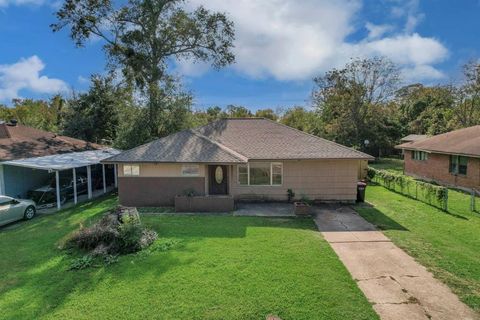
437, 168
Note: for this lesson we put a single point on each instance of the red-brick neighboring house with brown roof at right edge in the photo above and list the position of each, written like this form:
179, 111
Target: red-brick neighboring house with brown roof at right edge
451, 158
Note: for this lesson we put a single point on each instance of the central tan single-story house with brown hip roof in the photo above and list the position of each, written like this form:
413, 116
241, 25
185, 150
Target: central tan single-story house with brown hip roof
241, 159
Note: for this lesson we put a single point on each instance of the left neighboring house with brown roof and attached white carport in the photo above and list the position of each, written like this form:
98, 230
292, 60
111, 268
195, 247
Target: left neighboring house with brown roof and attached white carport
32, 159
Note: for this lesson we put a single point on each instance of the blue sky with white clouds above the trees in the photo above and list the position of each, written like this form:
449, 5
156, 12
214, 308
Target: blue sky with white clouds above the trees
281, 45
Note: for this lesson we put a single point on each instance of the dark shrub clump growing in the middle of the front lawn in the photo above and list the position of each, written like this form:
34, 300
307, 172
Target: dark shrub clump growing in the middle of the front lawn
118, 232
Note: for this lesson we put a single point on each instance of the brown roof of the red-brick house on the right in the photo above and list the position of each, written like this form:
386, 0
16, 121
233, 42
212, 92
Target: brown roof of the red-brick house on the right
463, 142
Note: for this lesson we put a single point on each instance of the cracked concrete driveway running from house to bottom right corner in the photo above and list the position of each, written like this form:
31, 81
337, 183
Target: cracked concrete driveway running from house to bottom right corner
396, 285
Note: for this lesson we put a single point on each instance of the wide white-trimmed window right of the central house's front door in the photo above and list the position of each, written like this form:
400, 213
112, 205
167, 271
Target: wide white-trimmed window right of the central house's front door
260, 174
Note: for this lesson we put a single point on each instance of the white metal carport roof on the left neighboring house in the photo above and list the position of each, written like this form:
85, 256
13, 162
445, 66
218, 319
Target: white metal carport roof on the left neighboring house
64, 161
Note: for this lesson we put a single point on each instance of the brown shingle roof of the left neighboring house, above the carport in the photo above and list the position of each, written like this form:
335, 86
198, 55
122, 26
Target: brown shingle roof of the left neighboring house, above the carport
19, 142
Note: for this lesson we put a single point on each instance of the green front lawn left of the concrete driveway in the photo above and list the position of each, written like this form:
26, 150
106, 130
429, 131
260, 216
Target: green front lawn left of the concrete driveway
220, 267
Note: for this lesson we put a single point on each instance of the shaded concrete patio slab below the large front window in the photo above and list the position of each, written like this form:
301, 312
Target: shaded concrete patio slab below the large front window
262, 209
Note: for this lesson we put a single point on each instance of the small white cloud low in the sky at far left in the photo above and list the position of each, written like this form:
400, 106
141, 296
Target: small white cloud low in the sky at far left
25, 75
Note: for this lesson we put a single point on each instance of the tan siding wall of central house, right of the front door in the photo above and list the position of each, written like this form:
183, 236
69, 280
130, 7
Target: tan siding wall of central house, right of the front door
321, 180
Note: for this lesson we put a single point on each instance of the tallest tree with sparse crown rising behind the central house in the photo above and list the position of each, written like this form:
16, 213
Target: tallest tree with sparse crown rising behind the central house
141, 37
